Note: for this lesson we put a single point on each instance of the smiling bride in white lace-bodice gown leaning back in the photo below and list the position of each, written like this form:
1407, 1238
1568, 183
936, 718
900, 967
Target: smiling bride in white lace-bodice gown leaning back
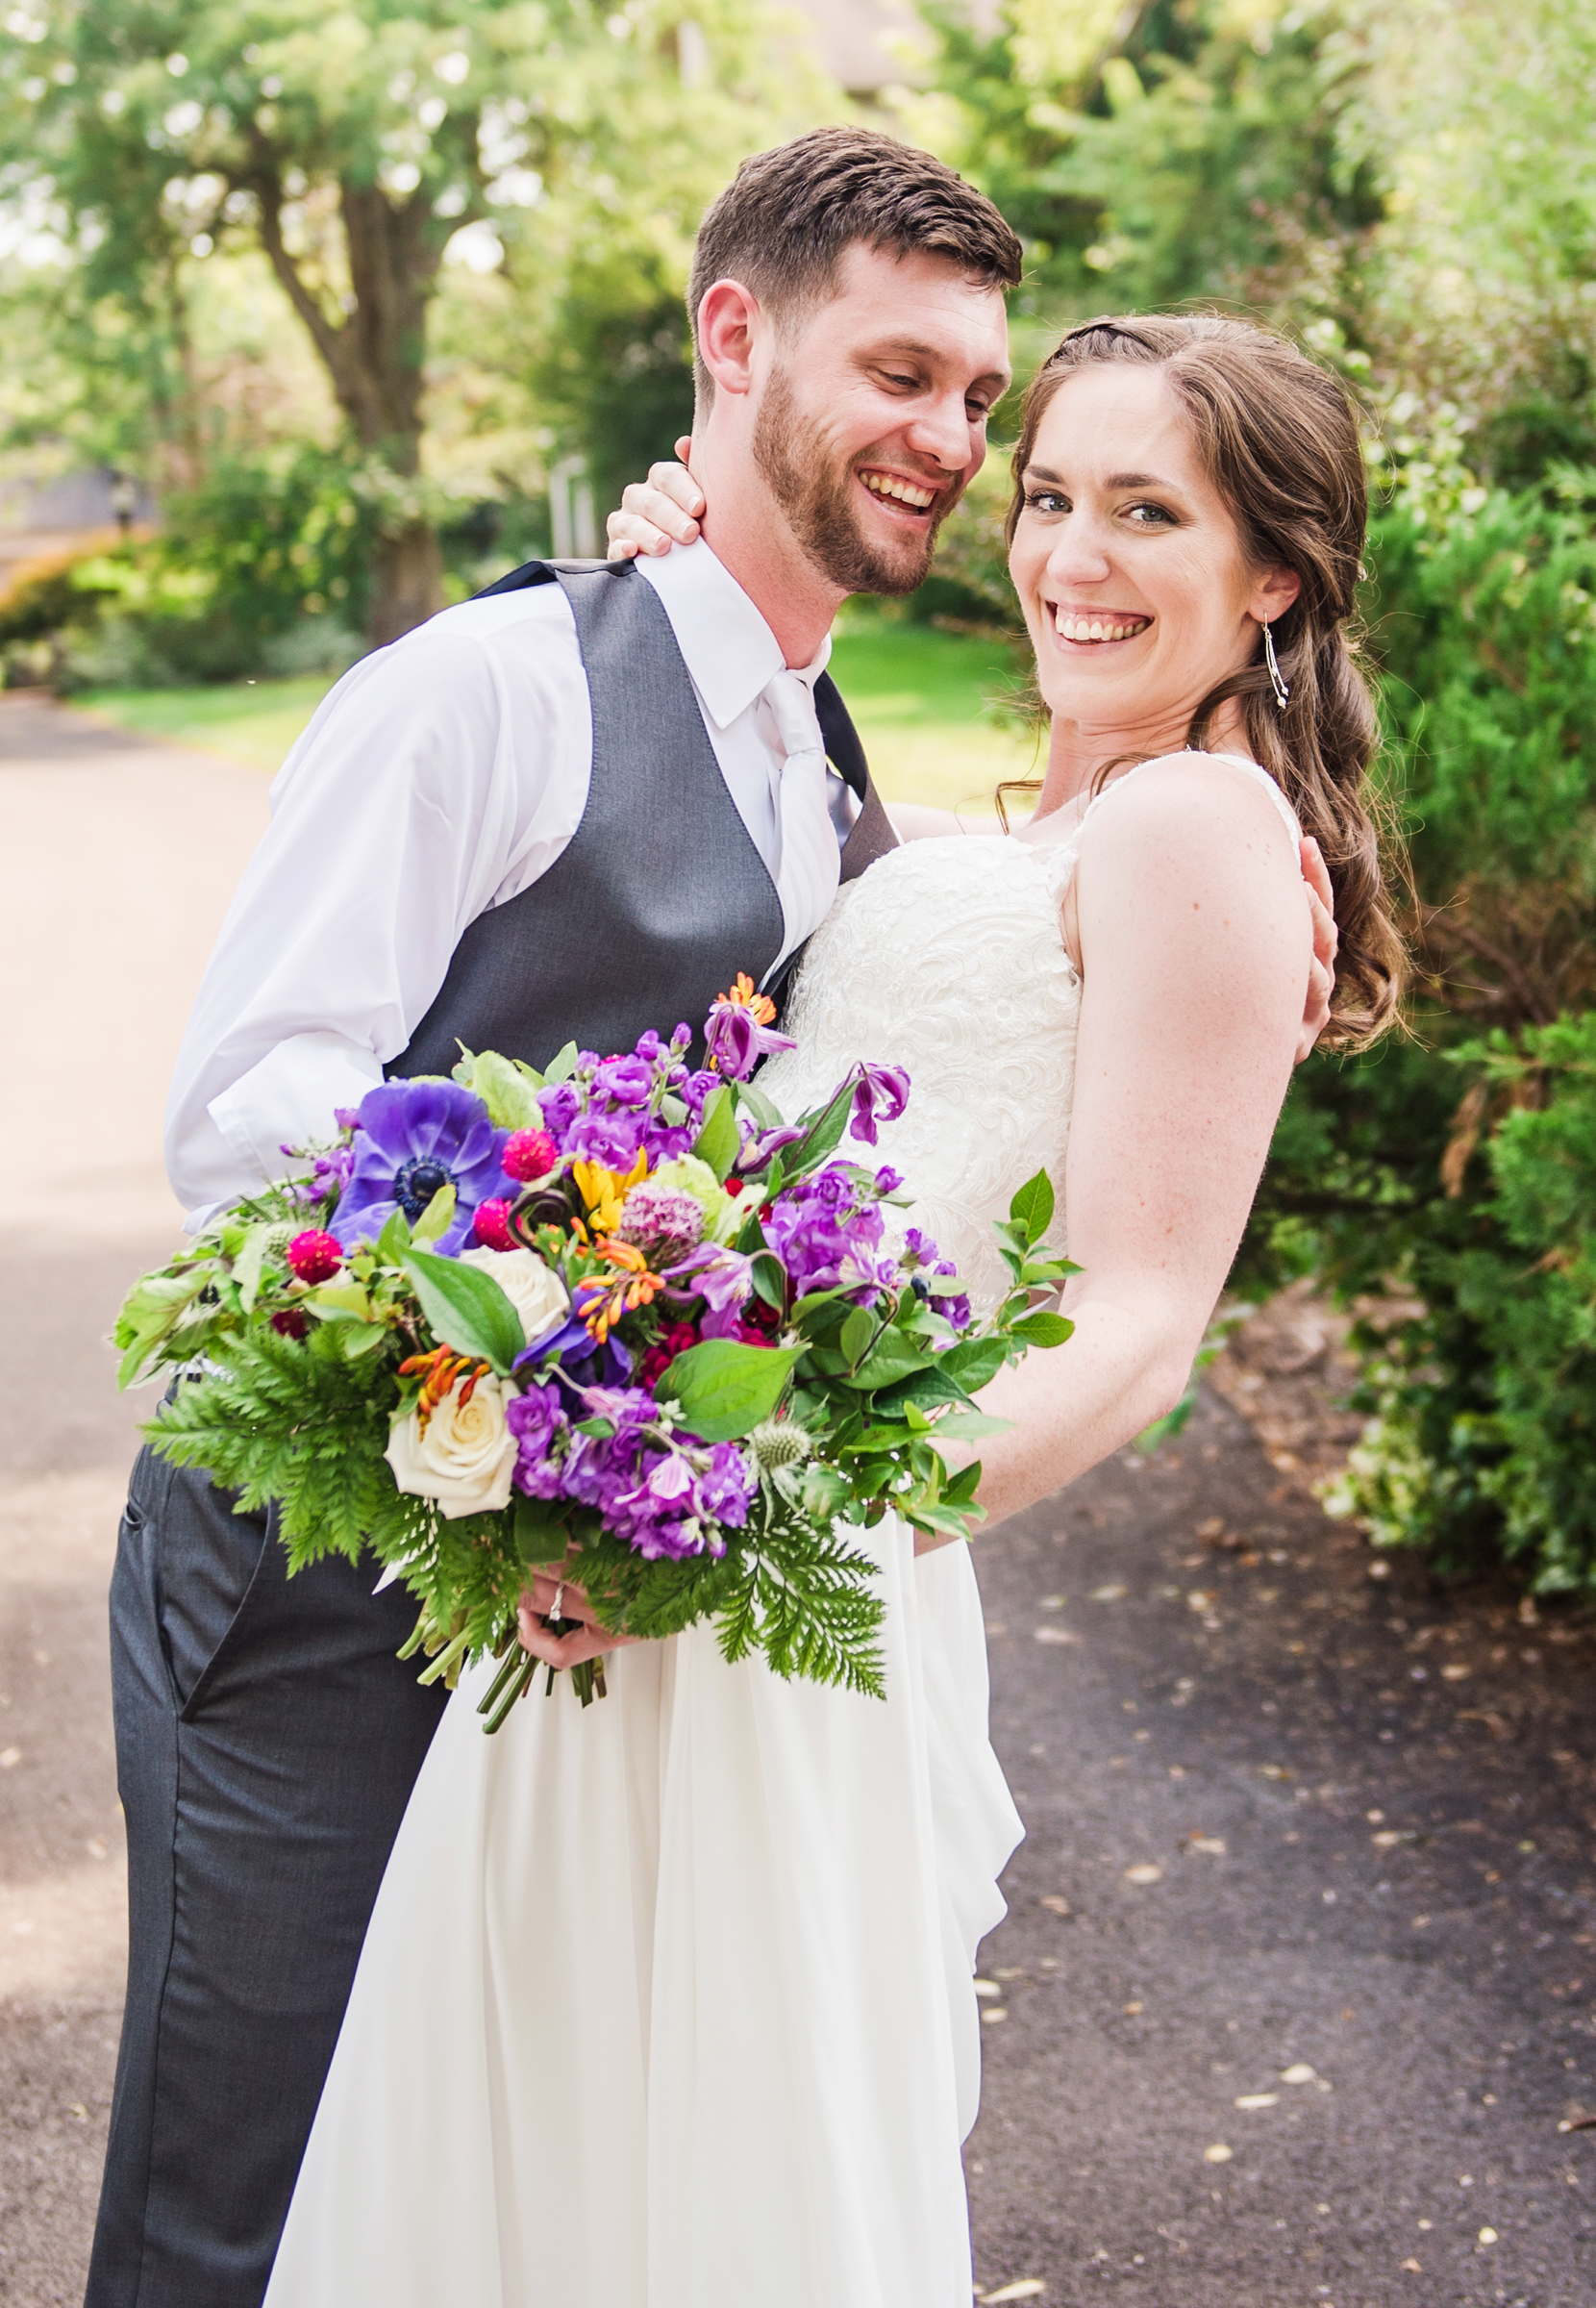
668, 2004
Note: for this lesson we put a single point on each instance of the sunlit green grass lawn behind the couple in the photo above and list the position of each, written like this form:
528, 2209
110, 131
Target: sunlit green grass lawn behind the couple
921, 703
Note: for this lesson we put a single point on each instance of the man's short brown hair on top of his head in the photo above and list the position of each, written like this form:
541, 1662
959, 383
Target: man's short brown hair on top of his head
788, 216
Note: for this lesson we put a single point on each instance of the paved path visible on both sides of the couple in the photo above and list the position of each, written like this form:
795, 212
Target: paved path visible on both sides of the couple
1283, 1820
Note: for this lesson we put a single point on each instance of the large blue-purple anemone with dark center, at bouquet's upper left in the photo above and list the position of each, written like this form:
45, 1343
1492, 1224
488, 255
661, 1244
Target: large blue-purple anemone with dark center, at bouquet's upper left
416, 1139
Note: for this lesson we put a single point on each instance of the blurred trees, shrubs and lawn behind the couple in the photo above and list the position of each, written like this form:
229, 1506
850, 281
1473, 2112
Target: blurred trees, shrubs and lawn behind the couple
319, 317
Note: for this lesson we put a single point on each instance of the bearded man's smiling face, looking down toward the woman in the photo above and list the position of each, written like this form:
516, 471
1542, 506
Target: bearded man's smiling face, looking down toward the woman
873, 414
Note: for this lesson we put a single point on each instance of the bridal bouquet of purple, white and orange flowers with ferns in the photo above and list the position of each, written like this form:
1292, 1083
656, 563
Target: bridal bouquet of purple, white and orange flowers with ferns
615, 1317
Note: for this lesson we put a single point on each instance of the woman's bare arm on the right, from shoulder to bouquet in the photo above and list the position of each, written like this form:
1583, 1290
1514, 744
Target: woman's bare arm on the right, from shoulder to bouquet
1187, 881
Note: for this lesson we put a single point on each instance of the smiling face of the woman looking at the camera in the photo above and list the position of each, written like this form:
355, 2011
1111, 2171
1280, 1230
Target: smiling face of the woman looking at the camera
1129, 564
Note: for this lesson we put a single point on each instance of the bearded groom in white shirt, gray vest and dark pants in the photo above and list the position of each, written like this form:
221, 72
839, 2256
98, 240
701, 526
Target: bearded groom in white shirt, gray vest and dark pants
566, 811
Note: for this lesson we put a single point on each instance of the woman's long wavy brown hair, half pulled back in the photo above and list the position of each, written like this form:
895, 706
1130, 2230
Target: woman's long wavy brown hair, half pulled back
1281, 444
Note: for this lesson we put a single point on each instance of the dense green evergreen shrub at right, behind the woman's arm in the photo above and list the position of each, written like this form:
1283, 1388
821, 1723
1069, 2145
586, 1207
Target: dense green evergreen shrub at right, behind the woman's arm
1440, 1178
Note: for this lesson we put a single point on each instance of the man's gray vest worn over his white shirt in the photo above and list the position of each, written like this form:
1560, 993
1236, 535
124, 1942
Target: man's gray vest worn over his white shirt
661, 894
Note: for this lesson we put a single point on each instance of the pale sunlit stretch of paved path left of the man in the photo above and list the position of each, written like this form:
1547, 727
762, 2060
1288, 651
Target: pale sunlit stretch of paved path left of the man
116, 867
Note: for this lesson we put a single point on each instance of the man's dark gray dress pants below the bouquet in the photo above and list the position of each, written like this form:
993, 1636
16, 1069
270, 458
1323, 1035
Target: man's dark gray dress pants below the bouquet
266, 1748
